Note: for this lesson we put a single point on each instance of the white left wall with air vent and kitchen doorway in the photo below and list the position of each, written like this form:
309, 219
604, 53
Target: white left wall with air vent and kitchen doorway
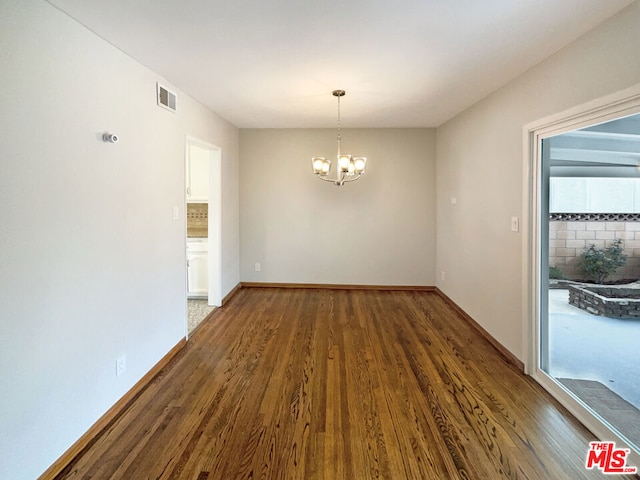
92, 265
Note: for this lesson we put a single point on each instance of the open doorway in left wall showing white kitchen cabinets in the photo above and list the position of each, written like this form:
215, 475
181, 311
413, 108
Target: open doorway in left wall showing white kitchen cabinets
203, 198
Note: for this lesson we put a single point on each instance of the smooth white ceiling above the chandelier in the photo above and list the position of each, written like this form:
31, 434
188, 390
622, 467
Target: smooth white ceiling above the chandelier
403, 63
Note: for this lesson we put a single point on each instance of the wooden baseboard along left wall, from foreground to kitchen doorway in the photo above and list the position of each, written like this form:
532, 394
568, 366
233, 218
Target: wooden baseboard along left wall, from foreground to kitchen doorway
110, 416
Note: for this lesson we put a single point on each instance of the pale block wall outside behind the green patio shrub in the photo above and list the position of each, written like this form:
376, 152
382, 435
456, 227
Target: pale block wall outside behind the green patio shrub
571, 234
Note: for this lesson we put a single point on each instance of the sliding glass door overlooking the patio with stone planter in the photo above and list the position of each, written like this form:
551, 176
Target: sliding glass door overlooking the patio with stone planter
588, 274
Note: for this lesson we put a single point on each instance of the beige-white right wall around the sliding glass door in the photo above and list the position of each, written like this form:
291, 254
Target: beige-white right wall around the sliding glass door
480, 161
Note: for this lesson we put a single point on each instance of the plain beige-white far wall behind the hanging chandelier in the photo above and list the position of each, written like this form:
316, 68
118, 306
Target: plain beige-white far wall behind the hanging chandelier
378, 230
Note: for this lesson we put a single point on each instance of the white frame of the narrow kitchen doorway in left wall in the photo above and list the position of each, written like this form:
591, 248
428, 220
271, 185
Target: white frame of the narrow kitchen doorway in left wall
214, 217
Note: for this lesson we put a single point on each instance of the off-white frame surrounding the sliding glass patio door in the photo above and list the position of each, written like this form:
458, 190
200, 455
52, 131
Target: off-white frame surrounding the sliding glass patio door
620, 104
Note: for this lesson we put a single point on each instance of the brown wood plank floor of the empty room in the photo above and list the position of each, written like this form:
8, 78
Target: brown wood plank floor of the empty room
335, 384
